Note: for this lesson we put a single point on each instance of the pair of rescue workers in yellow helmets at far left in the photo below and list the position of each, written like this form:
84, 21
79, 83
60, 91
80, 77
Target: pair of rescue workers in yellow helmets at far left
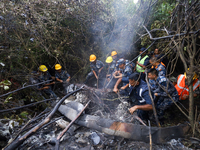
61, 76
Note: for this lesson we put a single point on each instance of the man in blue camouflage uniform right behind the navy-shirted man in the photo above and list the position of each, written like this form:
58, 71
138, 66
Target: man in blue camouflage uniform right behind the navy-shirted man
159, 89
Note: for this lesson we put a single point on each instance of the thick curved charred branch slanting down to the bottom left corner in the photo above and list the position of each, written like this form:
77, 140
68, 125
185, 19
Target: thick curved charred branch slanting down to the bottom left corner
20, 140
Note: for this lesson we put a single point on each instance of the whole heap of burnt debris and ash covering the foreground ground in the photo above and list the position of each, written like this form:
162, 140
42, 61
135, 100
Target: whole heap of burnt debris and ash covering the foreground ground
105, 124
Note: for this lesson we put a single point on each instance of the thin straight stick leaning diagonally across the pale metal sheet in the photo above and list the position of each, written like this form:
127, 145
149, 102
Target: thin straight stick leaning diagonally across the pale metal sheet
65, 130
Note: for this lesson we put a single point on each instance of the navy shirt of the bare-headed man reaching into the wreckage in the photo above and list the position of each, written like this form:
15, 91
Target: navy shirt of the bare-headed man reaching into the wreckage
141, 93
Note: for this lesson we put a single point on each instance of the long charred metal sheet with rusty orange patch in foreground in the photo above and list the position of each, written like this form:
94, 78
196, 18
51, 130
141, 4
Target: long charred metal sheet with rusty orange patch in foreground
126, 130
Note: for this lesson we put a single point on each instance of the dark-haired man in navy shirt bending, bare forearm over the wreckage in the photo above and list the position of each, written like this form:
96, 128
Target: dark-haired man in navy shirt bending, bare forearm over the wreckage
139, 95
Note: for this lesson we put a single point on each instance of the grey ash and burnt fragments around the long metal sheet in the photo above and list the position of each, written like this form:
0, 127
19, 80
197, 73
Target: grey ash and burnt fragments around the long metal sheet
107, 106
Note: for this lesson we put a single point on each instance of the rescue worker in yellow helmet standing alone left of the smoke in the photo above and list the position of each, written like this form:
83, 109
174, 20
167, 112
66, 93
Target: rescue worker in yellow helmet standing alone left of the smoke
96, 68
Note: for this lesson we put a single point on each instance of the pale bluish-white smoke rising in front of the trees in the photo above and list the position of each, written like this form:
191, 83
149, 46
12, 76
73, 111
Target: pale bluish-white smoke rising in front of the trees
117, 29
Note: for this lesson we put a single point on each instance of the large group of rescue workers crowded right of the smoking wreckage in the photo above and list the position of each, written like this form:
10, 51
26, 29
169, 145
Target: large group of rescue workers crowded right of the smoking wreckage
132, 80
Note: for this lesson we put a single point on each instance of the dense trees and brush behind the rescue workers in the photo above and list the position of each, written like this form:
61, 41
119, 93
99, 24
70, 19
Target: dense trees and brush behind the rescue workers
39, 32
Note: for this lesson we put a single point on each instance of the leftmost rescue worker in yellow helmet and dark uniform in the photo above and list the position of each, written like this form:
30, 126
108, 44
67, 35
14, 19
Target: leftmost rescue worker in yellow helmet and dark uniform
44, 76
